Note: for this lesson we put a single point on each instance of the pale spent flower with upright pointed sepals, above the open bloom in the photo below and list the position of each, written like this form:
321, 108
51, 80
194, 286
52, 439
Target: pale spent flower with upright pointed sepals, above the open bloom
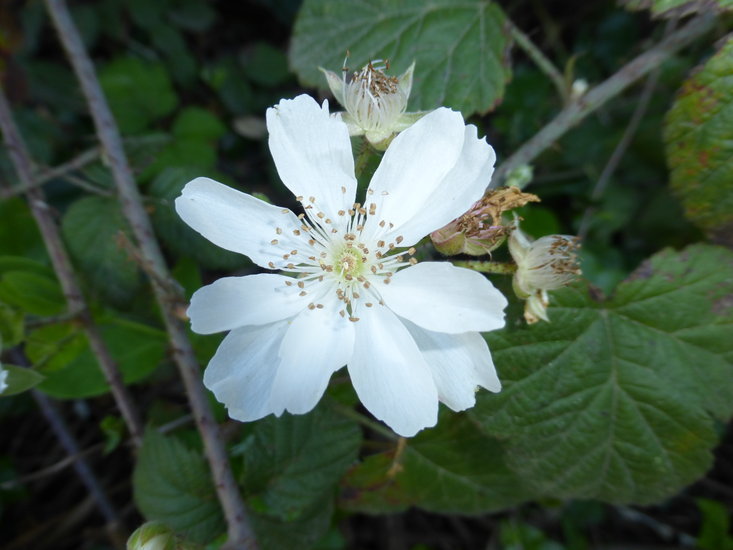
375, 103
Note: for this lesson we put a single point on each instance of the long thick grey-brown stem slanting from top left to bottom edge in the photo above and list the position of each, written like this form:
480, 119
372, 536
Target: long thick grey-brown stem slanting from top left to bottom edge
239, 530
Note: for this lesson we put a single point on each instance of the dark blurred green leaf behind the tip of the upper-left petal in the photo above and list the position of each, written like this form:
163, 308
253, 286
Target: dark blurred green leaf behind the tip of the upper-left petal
178, 236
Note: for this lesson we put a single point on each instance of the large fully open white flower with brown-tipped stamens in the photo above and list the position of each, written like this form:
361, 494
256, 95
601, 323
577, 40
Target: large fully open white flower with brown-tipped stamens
410, 337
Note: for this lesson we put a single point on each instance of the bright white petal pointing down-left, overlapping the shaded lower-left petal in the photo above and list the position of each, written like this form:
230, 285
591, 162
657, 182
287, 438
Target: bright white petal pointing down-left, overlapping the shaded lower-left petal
318, 342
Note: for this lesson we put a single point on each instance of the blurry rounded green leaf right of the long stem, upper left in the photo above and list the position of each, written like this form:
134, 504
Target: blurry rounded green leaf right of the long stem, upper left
139, 93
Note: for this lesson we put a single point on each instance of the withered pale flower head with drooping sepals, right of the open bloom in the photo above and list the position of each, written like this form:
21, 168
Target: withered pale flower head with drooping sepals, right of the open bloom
545, 264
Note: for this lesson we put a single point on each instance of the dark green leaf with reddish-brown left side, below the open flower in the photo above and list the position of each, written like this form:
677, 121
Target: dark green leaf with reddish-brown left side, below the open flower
452, 468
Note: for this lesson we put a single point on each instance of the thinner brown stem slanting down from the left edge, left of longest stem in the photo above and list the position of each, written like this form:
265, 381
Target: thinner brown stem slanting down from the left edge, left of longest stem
76, 304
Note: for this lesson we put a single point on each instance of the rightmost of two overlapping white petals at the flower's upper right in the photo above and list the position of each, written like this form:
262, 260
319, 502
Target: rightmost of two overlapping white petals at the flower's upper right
455, 193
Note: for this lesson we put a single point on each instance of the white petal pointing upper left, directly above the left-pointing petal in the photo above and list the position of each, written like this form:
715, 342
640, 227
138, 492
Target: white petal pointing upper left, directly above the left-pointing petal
240, 222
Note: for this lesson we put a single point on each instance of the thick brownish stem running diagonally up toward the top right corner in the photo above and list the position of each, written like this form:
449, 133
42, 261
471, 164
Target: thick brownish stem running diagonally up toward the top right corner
588, 103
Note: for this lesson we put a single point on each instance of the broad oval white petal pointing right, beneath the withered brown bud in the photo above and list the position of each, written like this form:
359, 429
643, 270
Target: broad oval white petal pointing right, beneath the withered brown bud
441, 297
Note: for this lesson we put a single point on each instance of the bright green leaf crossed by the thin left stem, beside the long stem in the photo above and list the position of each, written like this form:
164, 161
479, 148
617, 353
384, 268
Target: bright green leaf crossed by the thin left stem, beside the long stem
62, 352
